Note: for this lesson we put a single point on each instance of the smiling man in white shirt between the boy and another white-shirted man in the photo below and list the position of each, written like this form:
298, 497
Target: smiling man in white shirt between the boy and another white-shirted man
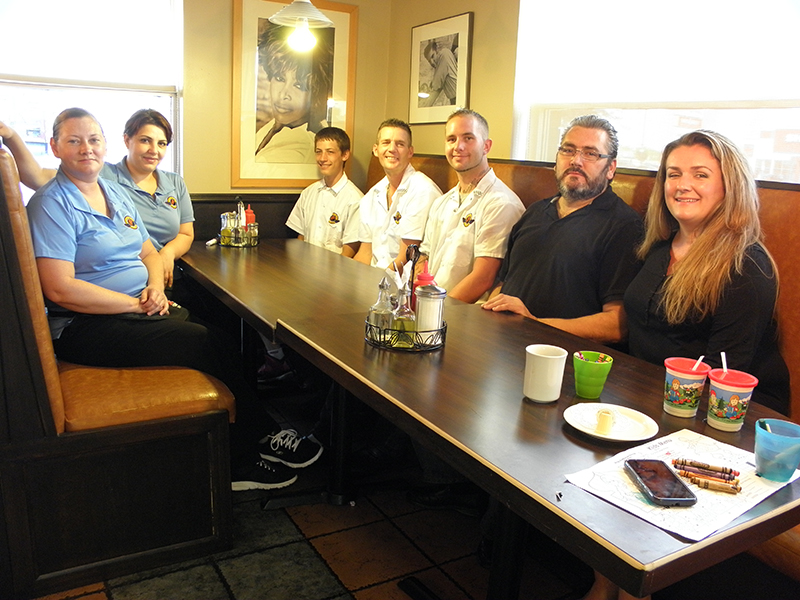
394, 211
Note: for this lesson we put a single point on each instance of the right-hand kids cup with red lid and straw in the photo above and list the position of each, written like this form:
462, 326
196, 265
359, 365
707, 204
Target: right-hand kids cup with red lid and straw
728, 398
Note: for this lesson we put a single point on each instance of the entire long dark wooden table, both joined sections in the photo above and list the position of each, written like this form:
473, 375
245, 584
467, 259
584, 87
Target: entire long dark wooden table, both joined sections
465, 403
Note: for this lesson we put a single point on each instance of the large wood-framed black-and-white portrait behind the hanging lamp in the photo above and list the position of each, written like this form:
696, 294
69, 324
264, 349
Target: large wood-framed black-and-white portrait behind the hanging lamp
282, 97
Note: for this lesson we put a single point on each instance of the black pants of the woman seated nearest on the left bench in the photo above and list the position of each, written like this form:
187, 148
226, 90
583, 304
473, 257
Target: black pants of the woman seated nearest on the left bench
132, 340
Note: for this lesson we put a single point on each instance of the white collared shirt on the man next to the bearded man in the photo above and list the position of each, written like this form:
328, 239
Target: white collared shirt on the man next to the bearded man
456, 234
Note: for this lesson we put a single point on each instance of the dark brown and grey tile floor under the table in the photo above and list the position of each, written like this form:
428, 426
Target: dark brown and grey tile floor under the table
362, 551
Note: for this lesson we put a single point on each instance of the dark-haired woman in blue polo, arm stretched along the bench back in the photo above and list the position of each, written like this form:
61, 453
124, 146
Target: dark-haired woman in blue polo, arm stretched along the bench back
160, 196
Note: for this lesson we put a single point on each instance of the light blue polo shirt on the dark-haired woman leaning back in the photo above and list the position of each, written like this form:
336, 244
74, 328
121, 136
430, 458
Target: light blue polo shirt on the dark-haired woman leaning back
164, 212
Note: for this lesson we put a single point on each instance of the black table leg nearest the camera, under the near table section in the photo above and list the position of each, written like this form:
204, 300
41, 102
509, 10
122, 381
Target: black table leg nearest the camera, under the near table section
507, 556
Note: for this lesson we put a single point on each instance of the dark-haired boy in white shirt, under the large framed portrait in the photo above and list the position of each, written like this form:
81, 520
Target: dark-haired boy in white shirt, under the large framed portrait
327, 212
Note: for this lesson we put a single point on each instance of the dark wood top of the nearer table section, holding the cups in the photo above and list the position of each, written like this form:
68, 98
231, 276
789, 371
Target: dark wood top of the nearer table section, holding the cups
465, 402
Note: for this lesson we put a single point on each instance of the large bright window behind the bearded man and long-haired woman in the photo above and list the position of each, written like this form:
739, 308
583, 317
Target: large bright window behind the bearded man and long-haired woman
659, 70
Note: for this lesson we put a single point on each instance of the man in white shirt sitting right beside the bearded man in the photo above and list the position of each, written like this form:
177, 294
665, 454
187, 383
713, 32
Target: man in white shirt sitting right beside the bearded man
467, 231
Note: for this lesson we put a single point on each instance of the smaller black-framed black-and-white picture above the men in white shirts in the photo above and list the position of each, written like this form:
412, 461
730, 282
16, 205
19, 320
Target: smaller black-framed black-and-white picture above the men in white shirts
440, 65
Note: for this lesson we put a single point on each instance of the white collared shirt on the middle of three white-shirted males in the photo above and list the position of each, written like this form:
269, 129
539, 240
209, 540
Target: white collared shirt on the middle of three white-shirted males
384, 227
